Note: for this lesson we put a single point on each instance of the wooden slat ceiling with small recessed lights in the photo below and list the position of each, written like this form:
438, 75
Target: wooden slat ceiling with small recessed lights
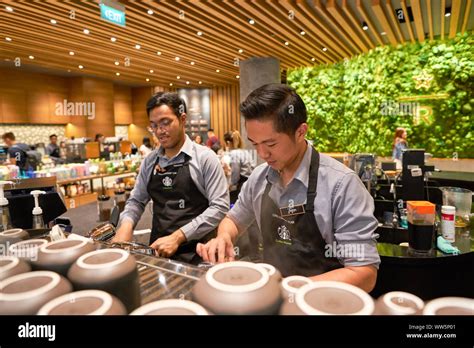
332, 31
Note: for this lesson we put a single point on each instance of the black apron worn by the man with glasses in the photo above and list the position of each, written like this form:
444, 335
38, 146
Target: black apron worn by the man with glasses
176, 201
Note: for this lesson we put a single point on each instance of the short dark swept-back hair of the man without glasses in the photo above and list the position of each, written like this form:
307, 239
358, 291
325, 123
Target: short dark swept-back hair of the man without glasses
277, 102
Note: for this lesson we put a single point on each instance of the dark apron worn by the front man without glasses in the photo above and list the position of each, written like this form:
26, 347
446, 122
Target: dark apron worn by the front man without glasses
292, 241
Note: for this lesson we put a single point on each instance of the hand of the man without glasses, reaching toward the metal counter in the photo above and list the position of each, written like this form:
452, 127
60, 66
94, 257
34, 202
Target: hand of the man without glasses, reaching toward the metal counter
221, 245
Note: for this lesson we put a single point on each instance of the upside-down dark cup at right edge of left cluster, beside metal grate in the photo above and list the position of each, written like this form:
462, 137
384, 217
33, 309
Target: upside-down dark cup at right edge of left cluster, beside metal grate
111, 270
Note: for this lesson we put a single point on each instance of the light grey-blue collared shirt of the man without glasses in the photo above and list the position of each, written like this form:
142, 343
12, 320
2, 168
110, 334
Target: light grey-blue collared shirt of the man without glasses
343, 208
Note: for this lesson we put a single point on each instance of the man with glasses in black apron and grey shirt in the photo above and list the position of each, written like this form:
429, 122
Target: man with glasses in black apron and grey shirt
184, 180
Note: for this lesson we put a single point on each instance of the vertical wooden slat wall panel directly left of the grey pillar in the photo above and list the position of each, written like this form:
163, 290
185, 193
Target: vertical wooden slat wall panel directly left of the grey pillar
225, 115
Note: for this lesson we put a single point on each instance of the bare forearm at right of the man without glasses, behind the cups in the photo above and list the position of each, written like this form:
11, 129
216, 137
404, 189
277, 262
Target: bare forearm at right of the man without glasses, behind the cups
363, 277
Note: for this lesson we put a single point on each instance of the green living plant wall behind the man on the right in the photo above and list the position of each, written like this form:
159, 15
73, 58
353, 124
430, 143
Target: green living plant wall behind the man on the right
356, 105
